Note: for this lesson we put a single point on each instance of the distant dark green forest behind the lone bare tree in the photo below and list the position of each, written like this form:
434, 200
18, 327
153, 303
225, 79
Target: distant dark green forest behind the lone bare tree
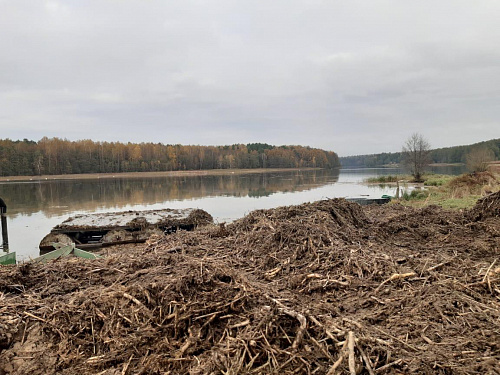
447, 155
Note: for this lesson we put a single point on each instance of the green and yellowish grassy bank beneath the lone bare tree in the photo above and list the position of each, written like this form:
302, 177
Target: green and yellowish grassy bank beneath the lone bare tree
452, 192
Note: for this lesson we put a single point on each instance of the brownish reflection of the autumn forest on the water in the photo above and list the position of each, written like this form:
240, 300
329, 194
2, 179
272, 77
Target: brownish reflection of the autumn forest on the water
54, 197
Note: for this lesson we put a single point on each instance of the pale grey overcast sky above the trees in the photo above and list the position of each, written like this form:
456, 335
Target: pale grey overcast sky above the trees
354, 77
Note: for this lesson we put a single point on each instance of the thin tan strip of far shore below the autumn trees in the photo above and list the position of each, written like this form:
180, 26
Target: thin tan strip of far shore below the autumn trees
95, 176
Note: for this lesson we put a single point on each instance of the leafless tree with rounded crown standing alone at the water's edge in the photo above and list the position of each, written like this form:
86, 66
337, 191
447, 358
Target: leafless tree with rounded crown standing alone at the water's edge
415, 155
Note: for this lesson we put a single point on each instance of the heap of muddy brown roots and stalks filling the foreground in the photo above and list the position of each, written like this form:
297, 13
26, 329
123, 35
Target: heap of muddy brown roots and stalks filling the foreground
321, 288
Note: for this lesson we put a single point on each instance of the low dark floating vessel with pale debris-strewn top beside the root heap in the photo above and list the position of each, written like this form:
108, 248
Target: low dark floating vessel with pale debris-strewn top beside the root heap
98, 230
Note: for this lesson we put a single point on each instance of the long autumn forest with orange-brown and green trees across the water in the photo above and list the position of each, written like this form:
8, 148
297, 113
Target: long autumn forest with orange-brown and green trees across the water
61, 156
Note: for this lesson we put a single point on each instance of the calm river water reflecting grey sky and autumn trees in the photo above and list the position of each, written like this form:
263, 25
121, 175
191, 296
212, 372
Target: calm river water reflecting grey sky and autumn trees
35, 207
